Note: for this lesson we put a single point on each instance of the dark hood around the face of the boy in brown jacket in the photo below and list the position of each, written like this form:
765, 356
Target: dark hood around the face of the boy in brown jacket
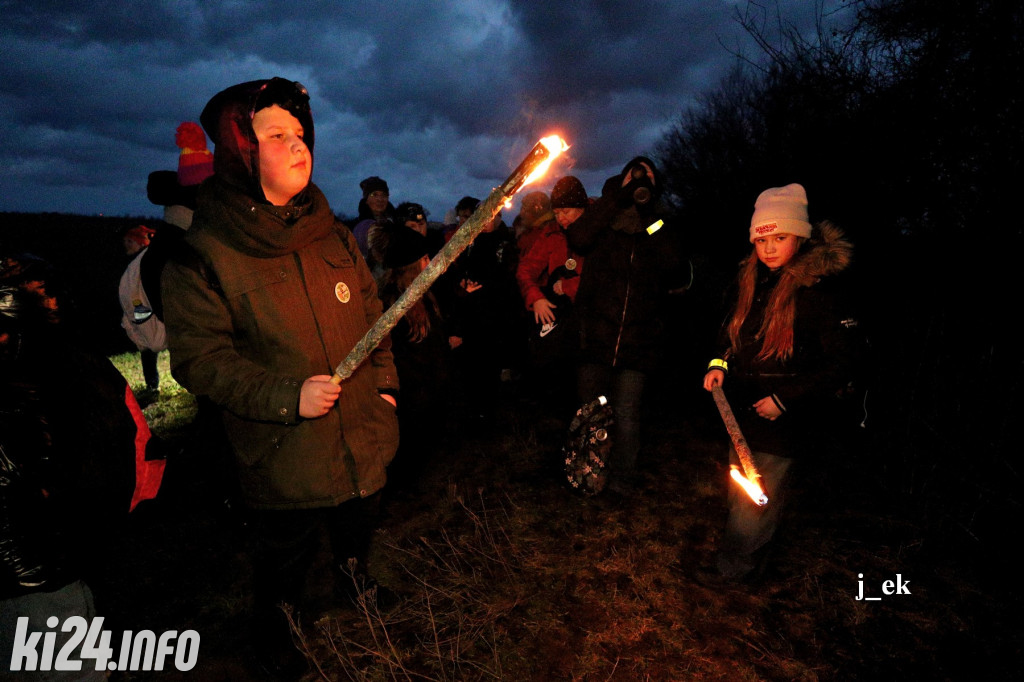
228, 119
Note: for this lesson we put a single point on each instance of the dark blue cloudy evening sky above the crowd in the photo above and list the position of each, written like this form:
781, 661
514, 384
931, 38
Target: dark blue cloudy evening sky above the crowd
440, 99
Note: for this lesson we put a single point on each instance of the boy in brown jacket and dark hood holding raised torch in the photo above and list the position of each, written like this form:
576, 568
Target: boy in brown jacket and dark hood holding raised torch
272, 295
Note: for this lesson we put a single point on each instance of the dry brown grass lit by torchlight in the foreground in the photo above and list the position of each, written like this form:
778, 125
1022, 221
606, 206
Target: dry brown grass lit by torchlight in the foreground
518, 579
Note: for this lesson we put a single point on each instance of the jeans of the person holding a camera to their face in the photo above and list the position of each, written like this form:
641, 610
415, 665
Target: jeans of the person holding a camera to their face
624, 389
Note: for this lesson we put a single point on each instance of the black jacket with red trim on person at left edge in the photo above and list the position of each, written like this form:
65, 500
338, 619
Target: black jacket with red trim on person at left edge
67, 466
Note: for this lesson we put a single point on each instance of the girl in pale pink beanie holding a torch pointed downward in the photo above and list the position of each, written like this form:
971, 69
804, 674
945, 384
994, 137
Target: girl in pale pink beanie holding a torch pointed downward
784, 353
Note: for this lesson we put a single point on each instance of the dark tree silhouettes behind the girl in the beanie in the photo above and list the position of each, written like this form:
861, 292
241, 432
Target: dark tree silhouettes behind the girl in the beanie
906, 127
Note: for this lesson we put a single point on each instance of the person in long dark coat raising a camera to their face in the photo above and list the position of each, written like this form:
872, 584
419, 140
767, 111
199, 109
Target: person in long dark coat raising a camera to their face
634, 261
